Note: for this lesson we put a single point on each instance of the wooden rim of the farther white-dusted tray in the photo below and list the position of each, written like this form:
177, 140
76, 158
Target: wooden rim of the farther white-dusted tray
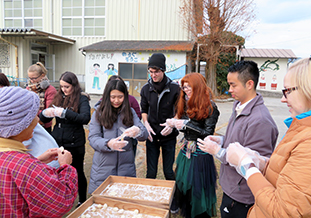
131, 180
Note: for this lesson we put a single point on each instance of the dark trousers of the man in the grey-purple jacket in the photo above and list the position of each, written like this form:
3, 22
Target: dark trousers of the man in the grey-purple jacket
232, 209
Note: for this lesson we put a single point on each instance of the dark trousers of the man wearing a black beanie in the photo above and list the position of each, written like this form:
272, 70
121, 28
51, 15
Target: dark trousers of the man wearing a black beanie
168, 157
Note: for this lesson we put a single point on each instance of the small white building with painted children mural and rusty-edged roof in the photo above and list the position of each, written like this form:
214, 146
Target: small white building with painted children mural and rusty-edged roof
129, 59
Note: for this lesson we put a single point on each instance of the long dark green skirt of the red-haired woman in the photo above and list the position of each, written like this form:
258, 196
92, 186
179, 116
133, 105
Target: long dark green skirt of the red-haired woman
197, 175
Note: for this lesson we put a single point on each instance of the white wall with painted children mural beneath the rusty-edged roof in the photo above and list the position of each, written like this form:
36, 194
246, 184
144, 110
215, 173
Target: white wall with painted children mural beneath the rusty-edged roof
101, 65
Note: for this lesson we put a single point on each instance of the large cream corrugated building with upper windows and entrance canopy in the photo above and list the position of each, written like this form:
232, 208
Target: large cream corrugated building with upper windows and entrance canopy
53, 31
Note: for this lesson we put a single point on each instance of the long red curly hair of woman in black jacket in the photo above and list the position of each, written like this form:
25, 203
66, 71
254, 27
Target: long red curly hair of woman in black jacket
199, 106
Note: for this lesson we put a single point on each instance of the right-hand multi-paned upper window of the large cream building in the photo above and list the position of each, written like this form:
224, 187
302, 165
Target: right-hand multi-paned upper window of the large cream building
83, 17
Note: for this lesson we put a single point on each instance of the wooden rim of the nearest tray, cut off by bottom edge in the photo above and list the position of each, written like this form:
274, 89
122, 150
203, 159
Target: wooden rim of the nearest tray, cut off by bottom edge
121, 205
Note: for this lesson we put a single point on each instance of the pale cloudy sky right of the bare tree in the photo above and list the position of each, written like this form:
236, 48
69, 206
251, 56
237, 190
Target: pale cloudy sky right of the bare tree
282, 24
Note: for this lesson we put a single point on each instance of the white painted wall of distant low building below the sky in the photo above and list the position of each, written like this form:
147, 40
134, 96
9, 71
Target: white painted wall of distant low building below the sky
272, 72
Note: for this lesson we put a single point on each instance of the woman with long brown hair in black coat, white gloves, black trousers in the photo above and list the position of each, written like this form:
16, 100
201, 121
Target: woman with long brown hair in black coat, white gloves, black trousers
71, 109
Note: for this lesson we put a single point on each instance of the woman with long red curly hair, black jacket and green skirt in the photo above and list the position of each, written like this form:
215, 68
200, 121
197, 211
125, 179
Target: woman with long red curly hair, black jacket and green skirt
196, 116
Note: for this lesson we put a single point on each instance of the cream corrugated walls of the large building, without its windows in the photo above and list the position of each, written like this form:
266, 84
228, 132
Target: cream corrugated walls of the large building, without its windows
125, 20
